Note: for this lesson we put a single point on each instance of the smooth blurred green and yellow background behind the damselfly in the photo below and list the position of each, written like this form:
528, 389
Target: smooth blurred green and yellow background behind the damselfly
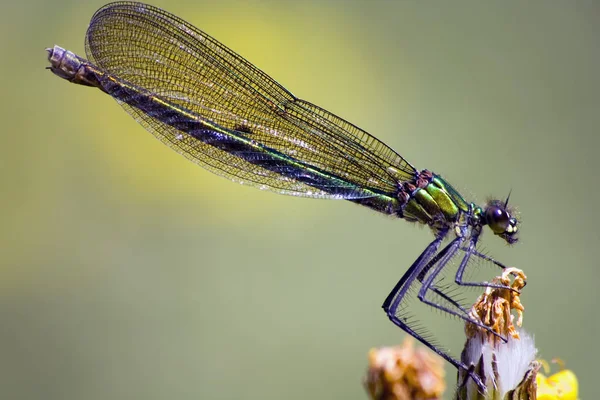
128, 272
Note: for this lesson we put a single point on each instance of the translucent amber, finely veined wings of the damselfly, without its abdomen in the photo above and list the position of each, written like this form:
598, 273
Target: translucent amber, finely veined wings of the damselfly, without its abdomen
170, 59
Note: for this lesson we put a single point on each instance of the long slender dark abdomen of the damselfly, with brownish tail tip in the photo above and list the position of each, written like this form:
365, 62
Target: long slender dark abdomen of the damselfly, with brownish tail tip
238, 143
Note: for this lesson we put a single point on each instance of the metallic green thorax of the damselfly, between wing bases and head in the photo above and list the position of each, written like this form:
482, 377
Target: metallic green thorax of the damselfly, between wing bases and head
438, 200
